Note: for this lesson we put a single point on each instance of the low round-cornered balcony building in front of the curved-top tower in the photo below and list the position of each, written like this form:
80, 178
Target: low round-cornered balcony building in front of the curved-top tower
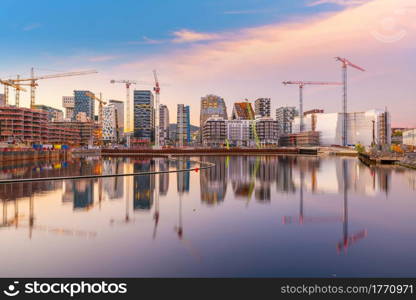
214, 132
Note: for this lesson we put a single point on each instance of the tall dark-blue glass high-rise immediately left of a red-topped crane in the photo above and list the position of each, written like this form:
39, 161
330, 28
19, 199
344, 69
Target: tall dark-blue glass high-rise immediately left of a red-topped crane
144, 120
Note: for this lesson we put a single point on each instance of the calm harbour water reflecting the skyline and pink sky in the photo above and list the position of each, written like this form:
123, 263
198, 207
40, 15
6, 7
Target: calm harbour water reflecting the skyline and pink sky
282, 216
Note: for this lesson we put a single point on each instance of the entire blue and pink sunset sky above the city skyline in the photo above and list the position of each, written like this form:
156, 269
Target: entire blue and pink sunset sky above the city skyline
234, 49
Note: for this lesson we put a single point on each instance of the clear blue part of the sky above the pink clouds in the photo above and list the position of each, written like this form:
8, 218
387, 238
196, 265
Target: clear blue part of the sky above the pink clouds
35, 31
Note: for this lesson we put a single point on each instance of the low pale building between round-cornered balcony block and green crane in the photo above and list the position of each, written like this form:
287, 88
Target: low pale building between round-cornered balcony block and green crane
239, 132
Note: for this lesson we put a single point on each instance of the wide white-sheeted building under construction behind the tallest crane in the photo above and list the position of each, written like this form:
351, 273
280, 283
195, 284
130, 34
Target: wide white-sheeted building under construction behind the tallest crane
363, 127
